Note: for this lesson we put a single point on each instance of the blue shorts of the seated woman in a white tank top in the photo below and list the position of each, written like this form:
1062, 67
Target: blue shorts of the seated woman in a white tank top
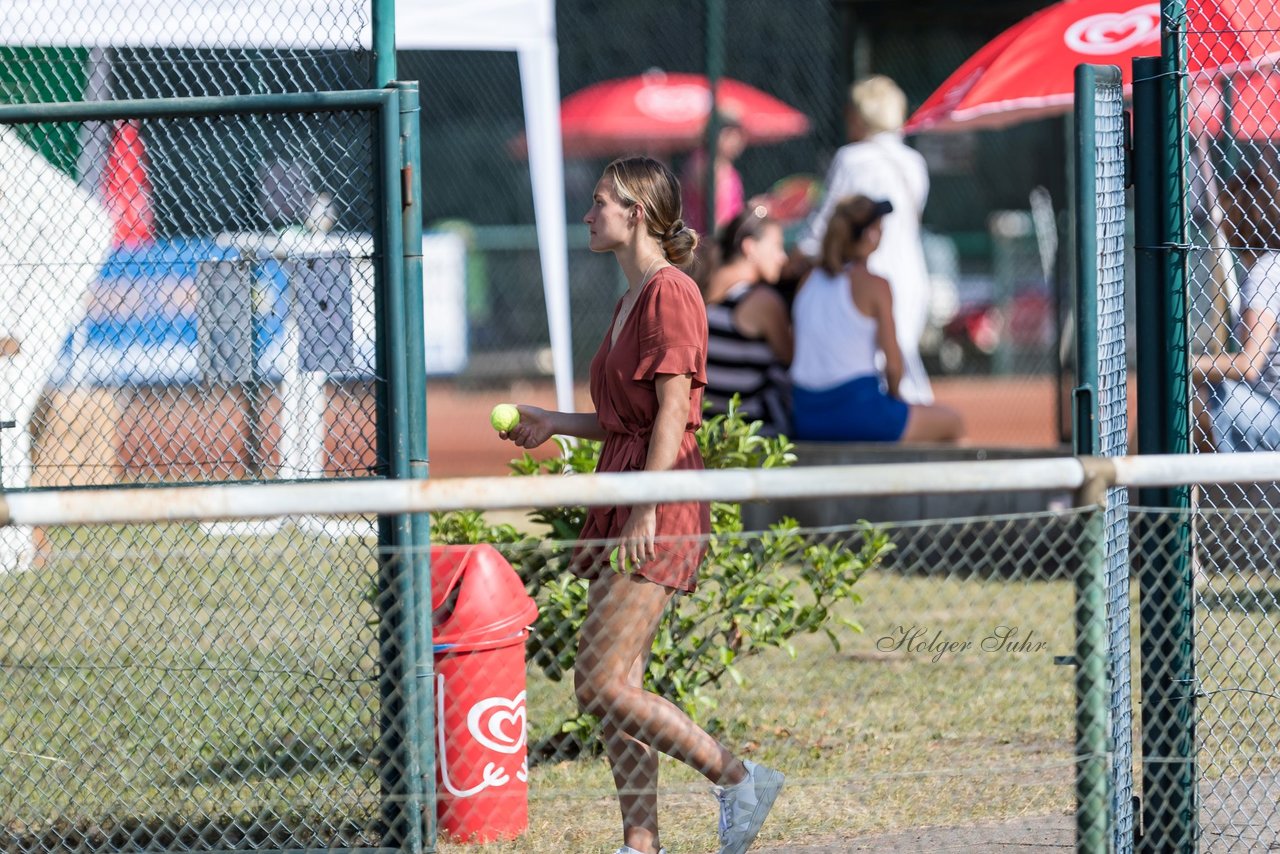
854, 412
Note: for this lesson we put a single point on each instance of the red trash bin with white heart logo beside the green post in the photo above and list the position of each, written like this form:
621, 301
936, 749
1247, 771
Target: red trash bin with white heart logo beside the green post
482, 616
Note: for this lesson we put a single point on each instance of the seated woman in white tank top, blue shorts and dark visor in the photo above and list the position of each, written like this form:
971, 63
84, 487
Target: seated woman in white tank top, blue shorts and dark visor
843, 317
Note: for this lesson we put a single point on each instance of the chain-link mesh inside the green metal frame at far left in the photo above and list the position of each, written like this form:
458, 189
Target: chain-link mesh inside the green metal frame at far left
231, 353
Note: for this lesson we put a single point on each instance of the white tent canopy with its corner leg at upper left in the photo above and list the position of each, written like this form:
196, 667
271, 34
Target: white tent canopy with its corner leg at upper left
523, 26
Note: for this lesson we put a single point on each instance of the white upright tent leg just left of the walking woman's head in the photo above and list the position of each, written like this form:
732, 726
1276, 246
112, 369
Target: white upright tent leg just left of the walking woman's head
540, 79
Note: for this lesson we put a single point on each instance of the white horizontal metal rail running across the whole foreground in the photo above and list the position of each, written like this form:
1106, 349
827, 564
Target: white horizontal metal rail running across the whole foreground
126, 505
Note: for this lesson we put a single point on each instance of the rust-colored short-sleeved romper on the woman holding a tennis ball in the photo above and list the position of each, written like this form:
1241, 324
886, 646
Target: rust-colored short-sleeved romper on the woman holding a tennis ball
666, 334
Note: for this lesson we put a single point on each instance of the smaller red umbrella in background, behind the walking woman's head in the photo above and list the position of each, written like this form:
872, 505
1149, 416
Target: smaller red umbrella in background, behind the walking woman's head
662, 113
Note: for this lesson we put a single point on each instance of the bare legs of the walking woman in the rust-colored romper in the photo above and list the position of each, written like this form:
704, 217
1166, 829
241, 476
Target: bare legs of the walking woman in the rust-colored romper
624, 614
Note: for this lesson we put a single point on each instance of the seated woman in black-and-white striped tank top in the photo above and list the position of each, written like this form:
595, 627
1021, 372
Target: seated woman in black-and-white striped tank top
749, 328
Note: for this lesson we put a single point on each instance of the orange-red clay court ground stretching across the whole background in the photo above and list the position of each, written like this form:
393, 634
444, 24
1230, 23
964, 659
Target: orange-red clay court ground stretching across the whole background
102, 437
